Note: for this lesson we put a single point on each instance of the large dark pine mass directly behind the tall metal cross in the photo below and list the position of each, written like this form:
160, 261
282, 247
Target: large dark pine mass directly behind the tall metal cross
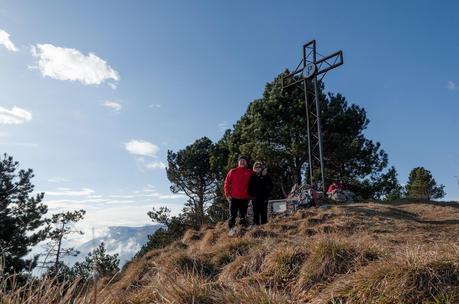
273, 130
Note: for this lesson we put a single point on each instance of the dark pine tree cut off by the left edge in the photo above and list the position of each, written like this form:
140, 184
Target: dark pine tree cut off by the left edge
21, 216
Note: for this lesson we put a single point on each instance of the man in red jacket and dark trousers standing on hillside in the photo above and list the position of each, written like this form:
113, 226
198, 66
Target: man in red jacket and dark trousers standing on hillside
237, 193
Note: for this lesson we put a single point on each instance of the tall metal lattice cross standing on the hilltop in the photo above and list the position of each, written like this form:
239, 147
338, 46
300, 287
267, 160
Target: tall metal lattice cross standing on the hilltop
307, 71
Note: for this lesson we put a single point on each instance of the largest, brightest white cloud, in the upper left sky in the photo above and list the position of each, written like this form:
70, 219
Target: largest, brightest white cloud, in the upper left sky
70, 64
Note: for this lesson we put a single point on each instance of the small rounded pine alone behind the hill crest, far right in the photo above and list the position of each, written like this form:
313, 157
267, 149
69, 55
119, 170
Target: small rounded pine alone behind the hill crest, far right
422, 185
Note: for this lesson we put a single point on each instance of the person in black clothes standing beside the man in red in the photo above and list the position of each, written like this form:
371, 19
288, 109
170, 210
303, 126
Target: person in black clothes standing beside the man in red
260, 186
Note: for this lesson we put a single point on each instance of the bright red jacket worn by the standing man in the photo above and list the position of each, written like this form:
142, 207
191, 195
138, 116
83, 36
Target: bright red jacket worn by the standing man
237, 183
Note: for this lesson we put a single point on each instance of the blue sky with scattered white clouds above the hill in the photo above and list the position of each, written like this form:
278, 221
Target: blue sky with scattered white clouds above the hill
96, 128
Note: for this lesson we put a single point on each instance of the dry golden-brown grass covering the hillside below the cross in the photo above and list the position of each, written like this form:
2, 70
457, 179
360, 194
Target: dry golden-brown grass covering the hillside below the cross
399, 252
